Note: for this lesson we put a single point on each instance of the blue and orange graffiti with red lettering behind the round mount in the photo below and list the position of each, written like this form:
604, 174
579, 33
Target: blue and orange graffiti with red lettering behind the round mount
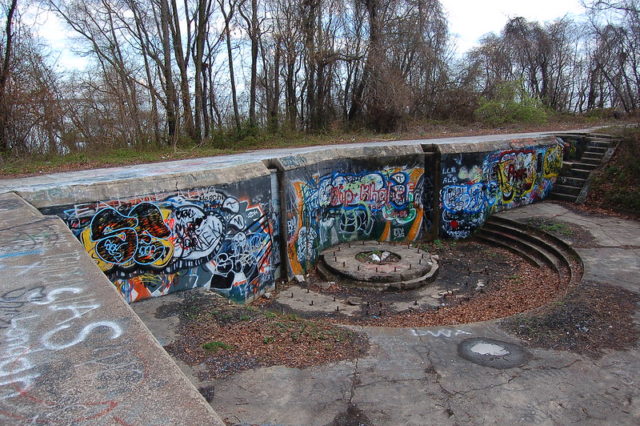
326, 209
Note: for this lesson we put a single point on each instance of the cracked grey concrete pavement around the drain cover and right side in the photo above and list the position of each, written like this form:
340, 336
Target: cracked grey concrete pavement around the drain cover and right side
416, 376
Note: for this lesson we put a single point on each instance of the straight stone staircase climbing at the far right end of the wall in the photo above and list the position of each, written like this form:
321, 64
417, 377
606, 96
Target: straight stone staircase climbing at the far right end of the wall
573, 182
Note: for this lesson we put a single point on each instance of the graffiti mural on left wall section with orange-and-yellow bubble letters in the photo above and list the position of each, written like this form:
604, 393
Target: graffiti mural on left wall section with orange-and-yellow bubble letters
159, 244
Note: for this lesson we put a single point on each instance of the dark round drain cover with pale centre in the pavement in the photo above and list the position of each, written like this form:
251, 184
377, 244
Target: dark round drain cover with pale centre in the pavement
493, 353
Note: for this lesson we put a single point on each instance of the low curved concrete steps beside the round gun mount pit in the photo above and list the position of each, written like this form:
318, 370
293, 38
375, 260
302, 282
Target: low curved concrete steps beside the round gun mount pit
536, 246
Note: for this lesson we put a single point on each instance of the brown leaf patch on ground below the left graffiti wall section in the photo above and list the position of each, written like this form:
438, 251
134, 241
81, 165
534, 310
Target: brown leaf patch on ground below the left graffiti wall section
232, 338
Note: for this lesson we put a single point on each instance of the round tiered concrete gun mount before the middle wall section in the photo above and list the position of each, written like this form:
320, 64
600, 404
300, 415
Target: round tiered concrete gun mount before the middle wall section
411, 267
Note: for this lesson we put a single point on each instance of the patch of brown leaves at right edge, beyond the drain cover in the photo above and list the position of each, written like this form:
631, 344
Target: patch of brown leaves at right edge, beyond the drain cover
592, 317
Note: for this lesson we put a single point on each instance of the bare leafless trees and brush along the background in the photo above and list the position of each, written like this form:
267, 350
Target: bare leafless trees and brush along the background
171, 73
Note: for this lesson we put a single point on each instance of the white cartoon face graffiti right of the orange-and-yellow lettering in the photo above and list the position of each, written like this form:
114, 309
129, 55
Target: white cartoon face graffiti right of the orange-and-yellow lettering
197, 234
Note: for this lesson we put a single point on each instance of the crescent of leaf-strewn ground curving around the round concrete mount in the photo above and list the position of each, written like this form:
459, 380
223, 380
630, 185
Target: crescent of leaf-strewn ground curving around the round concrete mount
476, 282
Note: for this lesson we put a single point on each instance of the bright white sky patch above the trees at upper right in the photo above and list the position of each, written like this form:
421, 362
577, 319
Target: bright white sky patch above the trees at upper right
471, 19
